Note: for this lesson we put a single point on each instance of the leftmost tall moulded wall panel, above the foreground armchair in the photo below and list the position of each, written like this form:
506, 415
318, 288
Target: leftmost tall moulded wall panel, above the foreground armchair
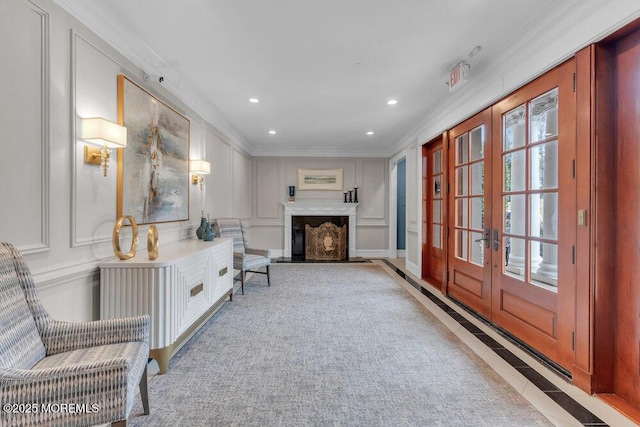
24, 121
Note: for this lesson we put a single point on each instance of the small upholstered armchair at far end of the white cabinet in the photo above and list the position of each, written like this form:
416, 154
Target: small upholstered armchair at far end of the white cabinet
245, 258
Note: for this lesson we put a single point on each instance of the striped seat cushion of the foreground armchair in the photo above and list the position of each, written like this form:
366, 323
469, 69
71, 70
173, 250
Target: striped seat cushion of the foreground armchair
136, 353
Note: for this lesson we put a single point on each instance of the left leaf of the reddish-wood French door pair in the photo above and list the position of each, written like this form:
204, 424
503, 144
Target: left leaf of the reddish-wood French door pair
470, 213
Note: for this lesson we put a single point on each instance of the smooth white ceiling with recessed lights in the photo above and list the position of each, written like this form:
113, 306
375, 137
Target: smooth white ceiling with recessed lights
322, 70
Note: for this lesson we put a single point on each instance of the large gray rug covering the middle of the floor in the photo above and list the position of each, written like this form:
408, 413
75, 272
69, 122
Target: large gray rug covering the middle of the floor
329, 345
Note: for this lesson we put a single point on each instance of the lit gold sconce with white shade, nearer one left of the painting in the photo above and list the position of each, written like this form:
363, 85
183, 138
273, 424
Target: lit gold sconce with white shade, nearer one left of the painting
102, 132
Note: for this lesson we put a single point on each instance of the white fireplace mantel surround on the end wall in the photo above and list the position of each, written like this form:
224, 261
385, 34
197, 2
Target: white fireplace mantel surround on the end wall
319, 209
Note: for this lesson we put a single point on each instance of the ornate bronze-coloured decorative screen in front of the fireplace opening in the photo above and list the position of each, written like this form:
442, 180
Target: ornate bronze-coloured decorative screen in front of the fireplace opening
325, 243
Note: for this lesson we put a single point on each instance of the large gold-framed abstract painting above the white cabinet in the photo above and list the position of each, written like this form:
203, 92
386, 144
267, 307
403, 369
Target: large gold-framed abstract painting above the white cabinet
153, 171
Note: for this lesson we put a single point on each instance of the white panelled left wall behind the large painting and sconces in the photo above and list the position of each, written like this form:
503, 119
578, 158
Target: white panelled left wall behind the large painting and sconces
56, 209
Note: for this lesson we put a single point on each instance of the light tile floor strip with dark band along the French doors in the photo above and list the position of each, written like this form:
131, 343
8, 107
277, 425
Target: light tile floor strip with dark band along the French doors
561, 402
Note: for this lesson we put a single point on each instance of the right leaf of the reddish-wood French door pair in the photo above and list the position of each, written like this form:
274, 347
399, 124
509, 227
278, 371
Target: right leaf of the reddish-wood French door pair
534, 221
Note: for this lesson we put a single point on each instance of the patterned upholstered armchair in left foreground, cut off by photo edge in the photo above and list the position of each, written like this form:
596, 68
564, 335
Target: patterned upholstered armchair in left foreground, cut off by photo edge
64, 374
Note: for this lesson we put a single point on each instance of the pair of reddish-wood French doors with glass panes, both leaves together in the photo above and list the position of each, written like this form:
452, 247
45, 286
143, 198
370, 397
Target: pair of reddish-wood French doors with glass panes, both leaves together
512, 213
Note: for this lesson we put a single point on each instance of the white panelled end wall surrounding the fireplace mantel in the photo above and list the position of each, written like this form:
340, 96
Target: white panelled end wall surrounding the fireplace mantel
273, 176
